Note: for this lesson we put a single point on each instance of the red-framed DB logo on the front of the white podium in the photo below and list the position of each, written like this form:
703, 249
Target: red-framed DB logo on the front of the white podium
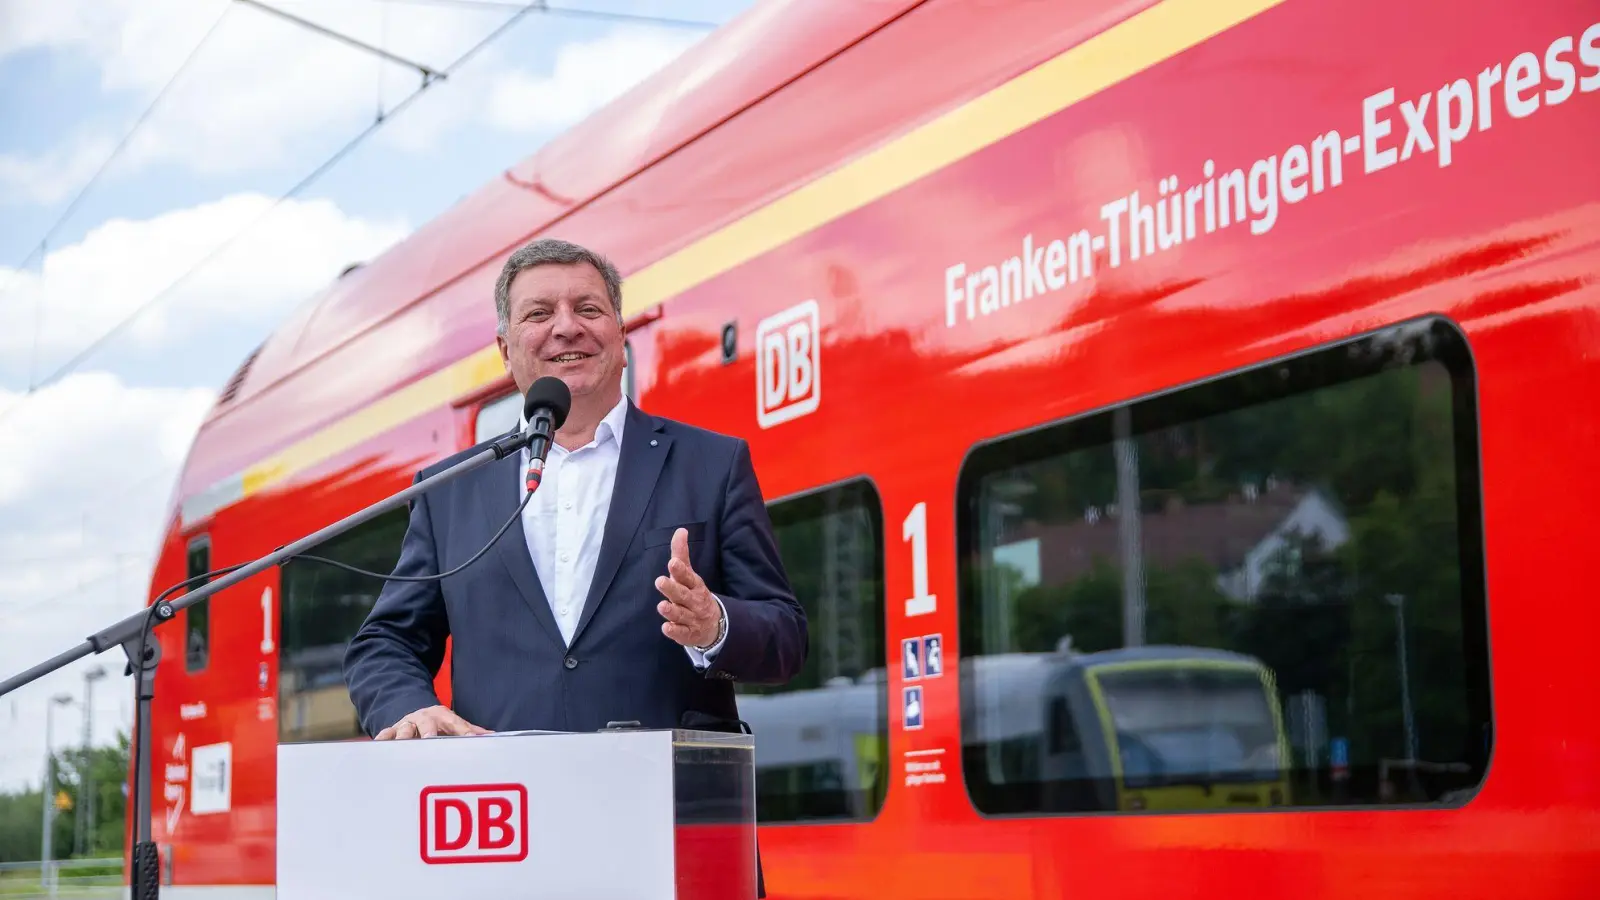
474, 824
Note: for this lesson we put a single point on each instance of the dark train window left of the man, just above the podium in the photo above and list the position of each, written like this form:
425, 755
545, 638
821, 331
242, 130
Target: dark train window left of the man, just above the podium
321, 611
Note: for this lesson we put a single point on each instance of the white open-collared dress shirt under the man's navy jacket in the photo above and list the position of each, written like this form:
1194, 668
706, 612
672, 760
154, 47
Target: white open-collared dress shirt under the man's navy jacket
566, 521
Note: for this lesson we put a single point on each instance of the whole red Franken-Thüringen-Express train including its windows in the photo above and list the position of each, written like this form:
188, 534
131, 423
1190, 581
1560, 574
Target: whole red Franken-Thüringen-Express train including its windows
1175, 419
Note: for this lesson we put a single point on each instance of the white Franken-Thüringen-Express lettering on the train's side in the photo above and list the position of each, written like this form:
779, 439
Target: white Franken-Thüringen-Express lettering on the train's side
1393, 131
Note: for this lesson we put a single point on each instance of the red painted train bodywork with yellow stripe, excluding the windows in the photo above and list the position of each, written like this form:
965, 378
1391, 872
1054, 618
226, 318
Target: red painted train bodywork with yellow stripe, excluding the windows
750, 179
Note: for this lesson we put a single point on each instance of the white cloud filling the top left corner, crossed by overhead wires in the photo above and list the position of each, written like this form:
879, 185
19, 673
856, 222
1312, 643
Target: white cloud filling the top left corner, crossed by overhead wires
258, 94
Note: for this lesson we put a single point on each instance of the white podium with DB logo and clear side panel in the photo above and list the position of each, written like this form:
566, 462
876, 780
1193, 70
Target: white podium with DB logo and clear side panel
633, 814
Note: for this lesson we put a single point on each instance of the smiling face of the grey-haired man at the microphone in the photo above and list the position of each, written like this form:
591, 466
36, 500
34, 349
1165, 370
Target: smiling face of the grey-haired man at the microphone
562, 324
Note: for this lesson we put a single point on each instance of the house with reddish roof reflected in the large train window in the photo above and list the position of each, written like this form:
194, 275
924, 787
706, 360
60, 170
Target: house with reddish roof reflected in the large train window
1244, 539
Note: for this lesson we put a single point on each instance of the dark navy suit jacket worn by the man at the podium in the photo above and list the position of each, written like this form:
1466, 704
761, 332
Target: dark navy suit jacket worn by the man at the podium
510, 667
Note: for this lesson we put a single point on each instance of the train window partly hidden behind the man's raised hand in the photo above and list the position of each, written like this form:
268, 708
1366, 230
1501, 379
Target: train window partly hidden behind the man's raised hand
822, 739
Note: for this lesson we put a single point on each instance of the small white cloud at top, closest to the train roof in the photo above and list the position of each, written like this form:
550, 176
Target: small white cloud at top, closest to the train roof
585, 78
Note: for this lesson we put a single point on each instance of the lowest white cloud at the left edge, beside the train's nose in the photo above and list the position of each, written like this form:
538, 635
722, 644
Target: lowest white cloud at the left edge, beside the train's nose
87, 468
